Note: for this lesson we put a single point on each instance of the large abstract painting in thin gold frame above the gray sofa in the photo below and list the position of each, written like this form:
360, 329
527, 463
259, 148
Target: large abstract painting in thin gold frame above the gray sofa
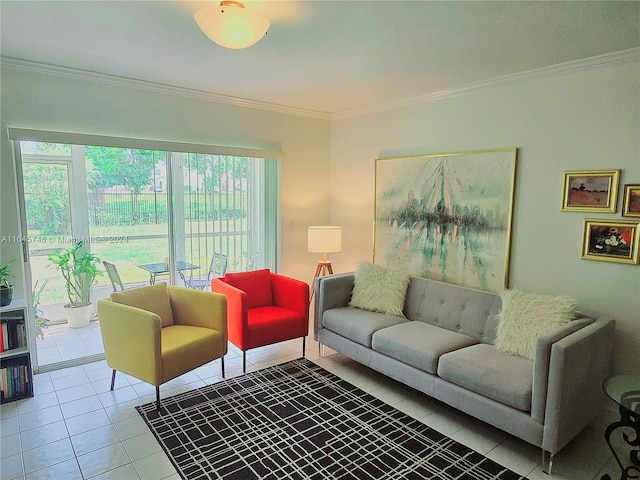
447, 216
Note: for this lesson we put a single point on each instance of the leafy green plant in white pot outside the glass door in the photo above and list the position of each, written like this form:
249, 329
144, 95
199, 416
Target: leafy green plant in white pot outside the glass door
79, 269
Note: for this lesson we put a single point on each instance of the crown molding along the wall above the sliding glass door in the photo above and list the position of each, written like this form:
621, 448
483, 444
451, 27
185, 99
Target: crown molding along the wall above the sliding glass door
60, 71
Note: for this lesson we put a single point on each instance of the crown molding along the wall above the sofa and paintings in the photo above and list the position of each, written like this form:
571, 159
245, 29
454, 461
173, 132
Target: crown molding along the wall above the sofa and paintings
620, 57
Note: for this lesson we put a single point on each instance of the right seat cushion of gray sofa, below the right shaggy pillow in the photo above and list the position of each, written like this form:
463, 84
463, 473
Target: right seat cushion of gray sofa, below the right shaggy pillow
489, 372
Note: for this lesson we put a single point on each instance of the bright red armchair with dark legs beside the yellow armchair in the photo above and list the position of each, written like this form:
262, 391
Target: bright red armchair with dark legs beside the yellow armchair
263, 308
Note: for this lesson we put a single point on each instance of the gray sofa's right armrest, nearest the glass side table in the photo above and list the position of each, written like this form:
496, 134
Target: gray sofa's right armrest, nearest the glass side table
579, 364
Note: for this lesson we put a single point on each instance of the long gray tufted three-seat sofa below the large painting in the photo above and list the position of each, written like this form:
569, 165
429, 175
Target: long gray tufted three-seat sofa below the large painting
444, 348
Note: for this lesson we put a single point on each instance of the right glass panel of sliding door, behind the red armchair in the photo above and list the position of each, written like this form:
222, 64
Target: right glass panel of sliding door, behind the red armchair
218, 212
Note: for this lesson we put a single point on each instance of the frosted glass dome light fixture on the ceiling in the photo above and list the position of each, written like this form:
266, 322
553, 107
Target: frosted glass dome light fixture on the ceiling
231, 25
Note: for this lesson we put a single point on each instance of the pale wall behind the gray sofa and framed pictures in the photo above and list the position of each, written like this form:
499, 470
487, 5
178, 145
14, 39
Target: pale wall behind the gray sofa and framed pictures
578, 120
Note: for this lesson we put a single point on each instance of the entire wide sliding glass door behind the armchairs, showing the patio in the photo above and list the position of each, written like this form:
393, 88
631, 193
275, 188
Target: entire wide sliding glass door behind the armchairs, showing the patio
155, 215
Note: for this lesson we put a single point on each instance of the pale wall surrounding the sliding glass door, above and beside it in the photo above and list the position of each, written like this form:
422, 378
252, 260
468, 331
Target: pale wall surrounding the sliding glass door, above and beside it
63, 103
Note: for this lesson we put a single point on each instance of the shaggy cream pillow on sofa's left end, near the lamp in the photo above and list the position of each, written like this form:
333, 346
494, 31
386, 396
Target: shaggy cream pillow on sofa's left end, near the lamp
379, 289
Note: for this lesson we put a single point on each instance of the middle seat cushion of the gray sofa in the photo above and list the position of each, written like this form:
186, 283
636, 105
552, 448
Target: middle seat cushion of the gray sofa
418, 344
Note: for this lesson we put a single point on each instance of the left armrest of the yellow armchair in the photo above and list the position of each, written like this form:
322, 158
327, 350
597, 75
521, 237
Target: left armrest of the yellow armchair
132, 340
